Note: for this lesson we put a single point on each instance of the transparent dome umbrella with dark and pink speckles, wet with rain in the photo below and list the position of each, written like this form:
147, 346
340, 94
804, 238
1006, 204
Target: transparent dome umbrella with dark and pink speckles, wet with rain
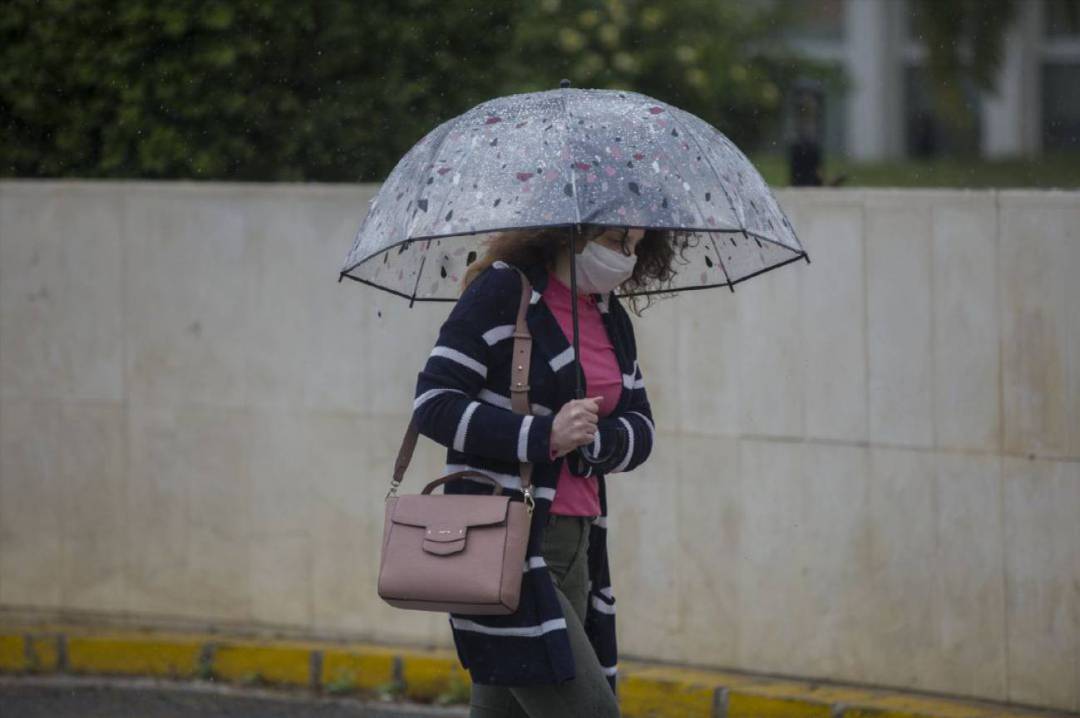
570, 158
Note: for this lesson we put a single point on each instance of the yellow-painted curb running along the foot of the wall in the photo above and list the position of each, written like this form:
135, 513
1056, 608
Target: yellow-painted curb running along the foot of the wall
427, 676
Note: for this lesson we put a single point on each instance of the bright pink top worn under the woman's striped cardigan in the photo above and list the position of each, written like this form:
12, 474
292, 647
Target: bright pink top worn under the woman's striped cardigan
579, 496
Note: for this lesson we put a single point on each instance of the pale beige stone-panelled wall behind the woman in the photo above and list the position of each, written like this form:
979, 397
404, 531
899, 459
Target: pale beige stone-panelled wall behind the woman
869, 468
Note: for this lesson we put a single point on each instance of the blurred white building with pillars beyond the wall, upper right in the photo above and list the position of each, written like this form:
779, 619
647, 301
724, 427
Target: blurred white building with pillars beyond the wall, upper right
888, 112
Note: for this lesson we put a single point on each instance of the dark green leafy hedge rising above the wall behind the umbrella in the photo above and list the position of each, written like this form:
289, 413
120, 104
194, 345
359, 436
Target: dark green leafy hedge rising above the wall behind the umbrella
334, 91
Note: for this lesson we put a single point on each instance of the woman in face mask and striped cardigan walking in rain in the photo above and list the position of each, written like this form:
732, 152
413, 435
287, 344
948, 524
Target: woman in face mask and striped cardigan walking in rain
556, 656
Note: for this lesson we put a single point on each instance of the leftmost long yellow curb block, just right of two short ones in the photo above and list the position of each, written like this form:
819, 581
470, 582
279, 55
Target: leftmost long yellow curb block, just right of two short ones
142, 657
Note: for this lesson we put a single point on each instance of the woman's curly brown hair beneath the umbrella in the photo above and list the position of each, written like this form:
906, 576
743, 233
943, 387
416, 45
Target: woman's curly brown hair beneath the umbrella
525, 248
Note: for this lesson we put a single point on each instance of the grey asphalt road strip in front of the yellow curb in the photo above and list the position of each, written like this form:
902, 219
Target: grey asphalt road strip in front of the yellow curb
67, 697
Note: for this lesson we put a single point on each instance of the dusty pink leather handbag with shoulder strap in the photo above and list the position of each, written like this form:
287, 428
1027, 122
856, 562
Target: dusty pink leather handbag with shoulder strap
461, 553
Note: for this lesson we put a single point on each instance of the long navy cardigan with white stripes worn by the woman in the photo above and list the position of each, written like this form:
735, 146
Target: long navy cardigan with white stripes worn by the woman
463, 402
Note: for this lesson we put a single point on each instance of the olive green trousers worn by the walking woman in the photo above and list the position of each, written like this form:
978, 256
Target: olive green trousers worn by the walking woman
588, 695
